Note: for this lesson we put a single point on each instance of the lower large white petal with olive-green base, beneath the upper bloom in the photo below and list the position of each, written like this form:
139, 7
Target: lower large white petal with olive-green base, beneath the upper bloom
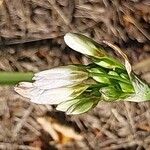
56, 96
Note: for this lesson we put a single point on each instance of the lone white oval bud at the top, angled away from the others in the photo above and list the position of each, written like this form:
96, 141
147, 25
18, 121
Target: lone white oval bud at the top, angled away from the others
84, 45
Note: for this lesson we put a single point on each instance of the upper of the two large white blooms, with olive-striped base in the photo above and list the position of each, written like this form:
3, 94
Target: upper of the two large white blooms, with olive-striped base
60, 77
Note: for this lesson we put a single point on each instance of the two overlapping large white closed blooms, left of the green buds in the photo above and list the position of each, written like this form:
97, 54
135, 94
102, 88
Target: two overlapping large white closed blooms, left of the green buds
55, 85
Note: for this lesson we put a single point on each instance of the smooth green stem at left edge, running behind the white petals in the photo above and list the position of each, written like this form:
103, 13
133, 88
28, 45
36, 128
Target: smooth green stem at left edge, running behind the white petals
12, 78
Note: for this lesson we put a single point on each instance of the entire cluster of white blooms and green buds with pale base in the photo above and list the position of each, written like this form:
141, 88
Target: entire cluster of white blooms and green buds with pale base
75, 89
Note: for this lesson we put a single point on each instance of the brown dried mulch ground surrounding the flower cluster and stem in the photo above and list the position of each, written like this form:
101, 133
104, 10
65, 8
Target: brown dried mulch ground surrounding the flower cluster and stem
31, 40
